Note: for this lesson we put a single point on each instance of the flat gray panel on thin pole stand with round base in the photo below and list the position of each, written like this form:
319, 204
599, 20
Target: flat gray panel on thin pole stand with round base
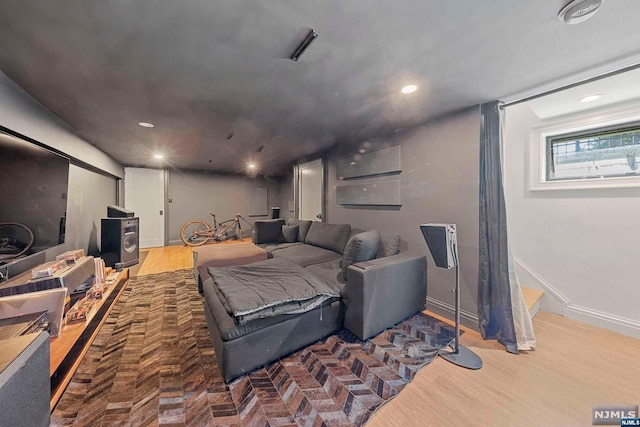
442, 242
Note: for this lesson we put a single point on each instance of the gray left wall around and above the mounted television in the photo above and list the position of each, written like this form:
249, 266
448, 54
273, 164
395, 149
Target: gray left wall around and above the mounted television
89, 192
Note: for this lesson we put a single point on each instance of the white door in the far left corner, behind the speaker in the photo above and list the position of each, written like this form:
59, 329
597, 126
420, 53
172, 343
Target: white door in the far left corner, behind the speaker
144, 195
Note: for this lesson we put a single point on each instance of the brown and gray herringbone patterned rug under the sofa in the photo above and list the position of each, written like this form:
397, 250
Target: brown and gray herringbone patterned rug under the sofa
153, 363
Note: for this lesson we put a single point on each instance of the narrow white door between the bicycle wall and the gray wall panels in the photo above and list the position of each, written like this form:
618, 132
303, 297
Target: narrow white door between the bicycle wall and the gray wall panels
310, 190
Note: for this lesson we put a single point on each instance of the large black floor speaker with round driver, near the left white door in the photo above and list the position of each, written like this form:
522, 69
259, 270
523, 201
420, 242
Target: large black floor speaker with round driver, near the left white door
120, 241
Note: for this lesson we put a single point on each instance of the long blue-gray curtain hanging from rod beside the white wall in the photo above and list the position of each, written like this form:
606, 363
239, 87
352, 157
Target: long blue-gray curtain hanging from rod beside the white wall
495, 313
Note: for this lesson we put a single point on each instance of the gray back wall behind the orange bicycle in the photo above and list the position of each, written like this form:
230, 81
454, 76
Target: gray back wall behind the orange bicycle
193, 195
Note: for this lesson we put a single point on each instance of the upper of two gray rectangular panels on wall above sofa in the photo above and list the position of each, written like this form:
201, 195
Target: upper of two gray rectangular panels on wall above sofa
381, 162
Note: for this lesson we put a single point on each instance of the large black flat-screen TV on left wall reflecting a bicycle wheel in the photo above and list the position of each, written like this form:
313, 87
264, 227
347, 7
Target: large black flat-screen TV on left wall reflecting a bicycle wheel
33, 197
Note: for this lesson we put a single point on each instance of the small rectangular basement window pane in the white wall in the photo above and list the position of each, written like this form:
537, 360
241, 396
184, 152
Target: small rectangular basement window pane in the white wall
597, 153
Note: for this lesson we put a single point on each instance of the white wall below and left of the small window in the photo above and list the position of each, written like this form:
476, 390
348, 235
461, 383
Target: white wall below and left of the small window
580, 246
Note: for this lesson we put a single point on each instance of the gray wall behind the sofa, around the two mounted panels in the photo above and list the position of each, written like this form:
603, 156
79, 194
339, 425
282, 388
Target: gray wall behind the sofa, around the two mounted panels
439, 184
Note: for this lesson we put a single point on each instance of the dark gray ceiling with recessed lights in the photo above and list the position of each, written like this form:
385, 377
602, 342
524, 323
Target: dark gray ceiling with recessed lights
202, 69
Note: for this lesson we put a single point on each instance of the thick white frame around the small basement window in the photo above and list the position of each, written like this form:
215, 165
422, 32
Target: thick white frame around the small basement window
583, 122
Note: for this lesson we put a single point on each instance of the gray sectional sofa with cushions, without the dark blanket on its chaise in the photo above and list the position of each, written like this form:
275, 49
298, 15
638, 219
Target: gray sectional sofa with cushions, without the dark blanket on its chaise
378, 286
